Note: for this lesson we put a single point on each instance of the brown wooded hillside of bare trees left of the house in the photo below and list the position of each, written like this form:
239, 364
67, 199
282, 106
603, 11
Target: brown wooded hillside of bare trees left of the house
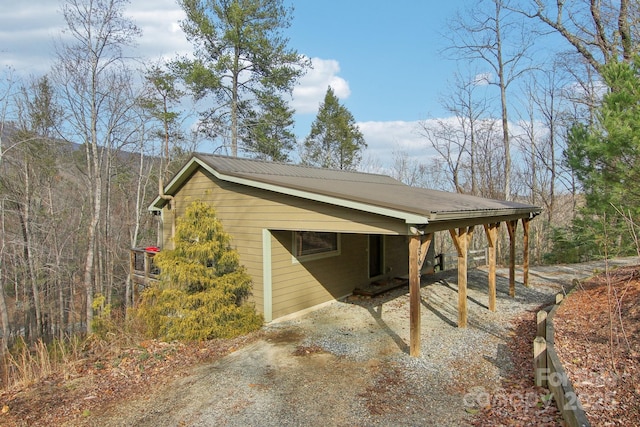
45, 213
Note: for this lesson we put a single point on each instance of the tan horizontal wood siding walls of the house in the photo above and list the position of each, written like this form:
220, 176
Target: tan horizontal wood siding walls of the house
244, 212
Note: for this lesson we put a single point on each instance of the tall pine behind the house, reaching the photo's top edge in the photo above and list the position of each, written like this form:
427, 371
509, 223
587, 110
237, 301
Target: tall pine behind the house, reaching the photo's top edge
240, 55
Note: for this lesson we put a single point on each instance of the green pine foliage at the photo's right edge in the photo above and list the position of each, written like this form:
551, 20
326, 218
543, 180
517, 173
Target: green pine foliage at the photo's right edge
605, 157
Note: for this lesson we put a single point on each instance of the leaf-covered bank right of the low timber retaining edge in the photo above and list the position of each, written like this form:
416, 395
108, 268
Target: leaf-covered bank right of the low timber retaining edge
598, 341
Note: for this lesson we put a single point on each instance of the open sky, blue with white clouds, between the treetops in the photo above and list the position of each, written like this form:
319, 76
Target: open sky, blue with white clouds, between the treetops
380, 57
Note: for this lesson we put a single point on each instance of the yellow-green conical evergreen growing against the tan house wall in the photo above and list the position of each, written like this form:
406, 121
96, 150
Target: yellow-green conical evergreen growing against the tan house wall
203, 289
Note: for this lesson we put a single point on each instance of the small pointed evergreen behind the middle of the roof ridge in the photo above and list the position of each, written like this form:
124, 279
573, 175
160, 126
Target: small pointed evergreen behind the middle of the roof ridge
335, 140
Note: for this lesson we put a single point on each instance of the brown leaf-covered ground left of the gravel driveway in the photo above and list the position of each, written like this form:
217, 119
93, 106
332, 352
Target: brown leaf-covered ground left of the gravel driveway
106, 378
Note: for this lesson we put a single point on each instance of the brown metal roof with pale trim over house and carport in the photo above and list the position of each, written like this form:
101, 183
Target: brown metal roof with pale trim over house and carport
371, 192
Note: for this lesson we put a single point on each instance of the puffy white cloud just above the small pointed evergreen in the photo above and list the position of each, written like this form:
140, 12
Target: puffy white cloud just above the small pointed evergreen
312, 87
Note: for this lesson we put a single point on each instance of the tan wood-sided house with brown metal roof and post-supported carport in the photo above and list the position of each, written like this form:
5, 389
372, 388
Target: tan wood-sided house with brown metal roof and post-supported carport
310, 235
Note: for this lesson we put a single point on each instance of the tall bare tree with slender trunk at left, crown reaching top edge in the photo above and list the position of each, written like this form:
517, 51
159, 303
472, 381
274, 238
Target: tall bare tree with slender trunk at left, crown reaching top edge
89, 71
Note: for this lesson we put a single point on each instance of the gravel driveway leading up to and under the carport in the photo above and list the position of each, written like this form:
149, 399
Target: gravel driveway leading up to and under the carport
347, 364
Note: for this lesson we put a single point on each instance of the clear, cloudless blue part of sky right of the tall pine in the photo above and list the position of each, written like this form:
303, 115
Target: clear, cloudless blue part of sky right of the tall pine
387, 52
